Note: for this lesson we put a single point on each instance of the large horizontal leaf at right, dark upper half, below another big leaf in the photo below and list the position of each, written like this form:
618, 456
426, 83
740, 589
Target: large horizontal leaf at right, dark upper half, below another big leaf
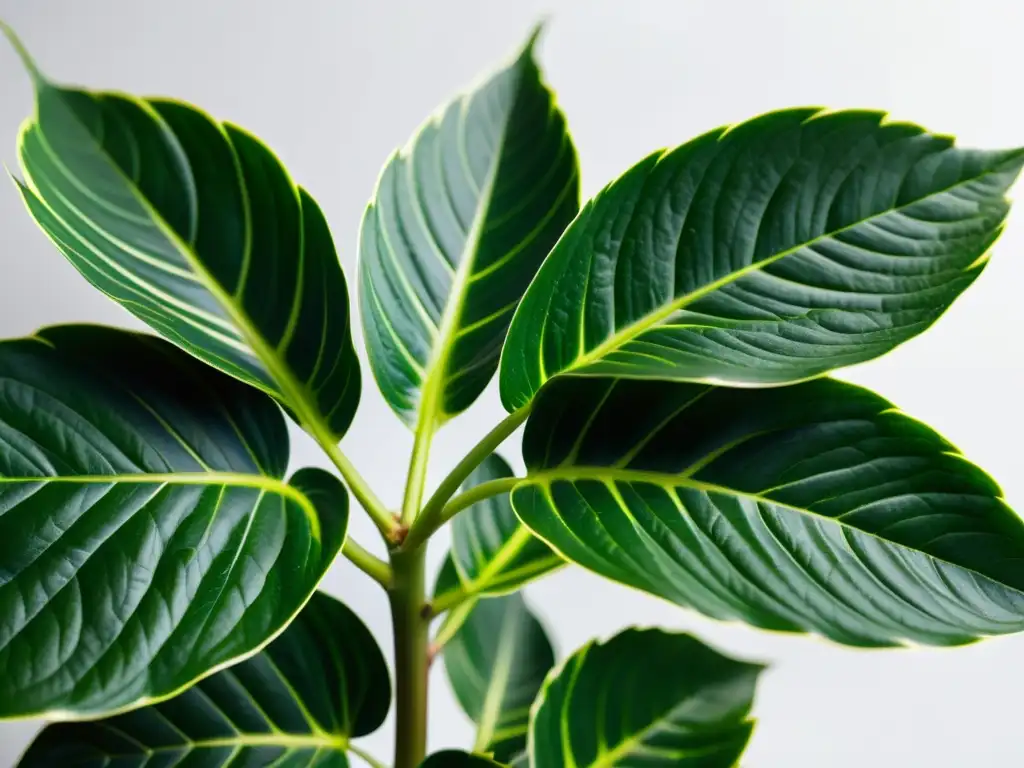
818, 507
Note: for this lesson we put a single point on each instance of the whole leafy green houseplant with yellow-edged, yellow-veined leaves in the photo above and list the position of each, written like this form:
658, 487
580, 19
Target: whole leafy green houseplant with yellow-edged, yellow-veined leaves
664, 354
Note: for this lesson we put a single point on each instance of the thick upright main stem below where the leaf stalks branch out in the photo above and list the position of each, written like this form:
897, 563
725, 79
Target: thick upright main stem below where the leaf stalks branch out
411, 660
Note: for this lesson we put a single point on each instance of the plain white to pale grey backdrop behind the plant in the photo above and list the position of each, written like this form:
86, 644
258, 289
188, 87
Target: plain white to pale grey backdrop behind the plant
335, 86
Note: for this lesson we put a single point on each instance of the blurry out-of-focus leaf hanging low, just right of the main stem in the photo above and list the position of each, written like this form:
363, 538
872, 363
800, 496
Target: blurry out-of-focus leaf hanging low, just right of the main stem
497, 664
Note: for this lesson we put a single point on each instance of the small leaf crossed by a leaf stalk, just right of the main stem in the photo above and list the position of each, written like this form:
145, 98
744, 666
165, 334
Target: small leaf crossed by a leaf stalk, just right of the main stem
493, 552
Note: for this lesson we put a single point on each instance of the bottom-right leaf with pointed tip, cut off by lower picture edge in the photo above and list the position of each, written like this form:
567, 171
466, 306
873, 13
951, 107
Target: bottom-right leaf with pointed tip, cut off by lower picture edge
646, 698
